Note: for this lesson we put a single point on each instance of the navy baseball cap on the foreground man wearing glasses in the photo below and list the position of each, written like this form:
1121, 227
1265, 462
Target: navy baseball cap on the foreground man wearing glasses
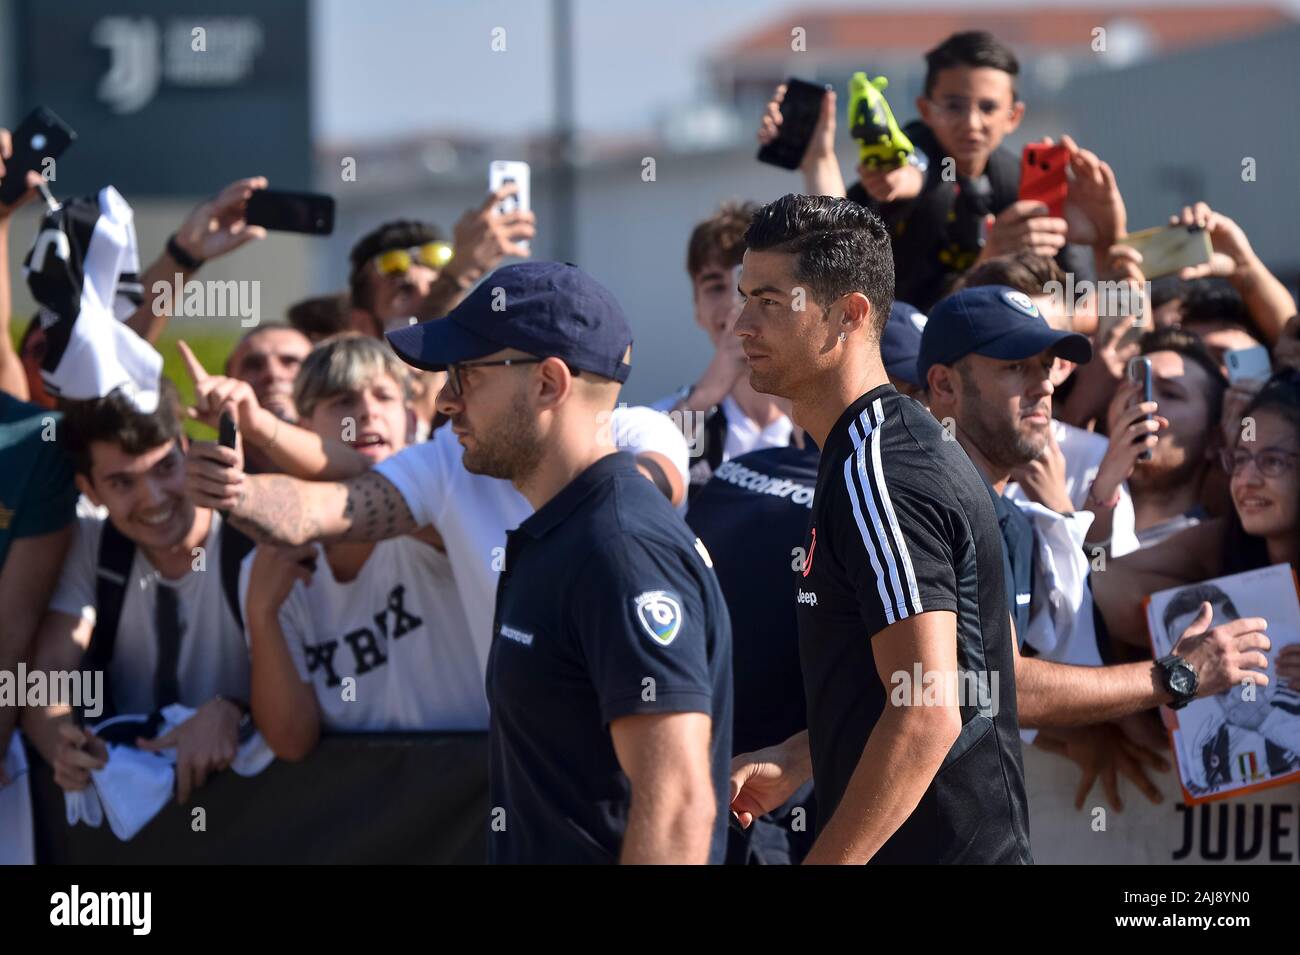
551, 310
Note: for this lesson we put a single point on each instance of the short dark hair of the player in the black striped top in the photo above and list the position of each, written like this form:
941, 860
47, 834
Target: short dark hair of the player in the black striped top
840, 248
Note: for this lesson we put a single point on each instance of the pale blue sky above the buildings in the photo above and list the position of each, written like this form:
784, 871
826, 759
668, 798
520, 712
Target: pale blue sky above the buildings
387, 68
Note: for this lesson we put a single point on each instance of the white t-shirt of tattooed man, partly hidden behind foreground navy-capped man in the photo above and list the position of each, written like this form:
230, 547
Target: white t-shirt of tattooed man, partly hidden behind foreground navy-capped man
473, 513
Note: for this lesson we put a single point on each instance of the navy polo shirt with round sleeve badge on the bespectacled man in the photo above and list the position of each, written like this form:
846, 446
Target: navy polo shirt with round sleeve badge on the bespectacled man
608, 607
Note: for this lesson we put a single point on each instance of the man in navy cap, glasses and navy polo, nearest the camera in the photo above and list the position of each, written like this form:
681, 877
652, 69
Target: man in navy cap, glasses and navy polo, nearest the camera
584, 766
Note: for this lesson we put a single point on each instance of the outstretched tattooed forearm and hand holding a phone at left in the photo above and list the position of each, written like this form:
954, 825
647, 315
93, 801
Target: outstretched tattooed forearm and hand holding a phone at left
281, 510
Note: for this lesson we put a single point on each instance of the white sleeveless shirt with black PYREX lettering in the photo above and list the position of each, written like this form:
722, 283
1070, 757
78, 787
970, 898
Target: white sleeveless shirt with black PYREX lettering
398, 631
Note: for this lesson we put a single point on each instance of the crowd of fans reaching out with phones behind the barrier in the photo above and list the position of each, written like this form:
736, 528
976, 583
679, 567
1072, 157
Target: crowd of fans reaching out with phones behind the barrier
318, 631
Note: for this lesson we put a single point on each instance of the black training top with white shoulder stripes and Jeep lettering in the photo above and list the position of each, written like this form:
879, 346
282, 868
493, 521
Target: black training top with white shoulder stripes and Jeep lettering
903, 524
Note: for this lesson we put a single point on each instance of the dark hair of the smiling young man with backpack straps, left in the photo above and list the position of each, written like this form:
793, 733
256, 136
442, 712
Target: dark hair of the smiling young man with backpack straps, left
116, 419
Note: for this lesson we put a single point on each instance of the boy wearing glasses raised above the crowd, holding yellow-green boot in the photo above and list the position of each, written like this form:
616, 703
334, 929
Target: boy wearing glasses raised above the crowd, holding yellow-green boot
956, 202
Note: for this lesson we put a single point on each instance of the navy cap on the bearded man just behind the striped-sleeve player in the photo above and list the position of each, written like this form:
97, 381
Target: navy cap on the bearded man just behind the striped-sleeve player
995, 322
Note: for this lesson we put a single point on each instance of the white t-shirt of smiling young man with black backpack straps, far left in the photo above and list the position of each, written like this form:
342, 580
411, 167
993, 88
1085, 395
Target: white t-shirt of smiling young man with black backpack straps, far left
214, 658
